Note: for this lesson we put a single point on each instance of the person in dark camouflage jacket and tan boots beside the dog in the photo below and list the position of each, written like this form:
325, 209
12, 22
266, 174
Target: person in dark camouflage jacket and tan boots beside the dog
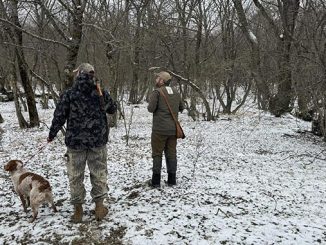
84, 108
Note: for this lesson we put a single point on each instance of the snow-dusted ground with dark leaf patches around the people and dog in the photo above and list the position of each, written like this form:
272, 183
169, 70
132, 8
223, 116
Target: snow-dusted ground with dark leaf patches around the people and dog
249, 178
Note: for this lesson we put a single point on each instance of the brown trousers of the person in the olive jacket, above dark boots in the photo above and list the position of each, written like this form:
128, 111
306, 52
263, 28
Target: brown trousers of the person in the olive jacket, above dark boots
167, 144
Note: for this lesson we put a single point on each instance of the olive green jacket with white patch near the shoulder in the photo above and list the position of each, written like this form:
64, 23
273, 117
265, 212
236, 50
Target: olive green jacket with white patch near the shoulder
163, 122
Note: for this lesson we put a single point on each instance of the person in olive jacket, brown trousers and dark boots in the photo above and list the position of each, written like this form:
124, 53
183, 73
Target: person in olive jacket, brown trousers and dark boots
163, 138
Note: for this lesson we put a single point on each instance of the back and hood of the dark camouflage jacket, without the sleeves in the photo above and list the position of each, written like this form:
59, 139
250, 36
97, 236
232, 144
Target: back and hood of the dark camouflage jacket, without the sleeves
86, 124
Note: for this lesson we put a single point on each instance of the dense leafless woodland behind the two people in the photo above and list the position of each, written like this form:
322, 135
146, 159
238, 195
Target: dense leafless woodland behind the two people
218, 51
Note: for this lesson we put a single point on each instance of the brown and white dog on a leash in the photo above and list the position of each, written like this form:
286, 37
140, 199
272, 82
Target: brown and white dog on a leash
32, 188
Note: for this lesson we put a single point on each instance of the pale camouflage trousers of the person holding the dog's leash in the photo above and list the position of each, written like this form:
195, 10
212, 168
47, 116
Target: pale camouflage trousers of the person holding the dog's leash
96, 159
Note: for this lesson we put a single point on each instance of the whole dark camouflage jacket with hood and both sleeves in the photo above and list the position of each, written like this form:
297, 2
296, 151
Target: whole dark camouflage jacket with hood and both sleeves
85, 113
